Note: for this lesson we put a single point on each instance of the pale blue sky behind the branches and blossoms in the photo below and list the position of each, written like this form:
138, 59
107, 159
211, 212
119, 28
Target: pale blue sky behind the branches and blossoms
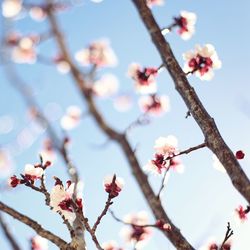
201, 200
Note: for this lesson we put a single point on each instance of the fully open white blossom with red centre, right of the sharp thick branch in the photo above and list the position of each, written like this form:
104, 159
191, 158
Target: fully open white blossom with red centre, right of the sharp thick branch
202, 61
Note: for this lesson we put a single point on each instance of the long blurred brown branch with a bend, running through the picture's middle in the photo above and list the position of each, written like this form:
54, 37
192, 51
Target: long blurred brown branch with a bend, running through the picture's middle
174, 235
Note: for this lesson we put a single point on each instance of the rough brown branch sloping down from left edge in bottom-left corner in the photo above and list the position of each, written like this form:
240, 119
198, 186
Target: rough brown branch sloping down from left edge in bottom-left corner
34, 225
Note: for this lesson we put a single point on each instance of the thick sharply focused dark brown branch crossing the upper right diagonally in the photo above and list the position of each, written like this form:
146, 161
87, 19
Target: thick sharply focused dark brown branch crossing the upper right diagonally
211, 133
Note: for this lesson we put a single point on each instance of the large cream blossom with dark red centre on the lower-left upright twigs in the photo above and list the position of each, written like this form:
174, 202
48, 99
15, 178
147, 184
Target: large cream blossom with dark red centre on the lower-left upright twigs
61, 200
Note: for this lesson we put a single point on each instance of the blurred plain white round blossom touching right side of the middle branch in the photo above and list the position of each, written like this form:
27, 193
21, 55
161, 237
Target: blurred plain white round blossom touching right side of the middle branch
106, 86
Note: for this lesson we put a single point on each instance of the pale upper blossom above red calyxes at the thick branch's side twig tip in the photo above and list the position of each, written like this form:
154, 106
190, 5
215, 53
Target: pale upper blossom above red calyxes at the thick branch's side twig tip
166, 146
